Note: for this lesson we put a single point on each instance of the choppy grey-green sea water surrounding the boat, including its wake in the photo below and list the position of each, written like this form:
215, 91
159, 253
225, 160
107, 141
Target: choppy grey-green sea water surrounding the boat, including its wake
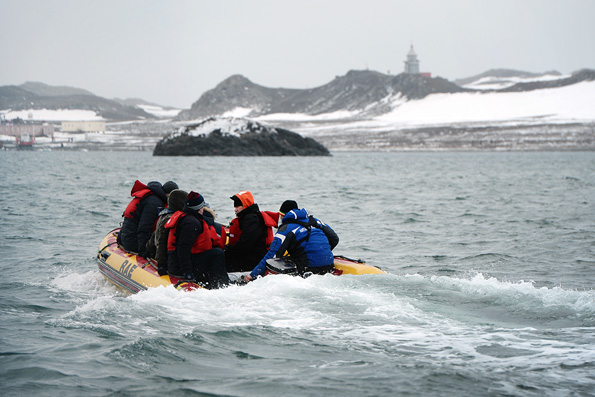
490, 285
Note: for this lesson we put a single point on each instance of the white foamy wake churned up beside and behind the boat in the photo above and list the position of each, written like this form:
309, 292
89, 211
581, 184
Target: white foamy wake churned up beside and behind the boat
386, 315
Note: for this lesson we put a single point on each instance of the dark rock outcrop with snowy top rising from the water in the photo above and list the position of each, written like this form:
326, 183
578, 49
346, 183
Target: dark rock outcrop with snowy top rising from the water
236, 137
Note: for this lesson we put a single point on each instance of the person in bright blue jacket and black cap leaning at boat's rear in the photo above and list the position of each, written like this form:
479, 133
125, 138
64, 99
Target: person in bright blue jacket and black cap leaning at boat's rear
303, 238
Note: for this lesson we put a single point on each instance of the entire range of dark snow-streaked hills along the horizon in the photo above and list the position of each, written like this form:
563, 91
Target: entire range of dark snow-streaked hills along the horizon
359, 94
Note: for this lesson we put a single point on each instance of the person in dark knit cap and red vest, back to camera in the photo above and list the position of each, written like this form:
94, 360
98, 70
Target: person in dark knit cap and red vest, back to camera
194, 247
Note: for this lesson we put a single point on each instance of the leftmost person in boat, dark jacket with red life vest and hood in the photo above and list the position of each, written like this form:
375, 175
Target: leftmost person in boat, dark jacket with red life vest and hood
141, 215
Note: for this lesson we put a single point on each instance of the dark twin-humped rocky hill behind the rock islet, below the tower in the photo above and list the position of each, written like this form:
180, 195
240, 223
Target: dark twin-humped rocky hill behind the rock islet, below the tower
357, 90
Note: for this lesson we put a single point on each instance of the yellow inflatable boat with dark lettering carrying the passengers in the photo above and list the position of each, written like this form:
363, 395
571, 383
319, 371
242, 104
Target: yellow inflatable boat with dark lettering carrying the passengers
134, 273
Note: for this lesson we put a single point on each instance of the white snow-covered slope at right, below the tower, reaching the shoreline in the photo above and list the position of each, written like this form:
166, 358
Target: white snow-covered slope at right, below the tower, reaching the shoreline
560, 118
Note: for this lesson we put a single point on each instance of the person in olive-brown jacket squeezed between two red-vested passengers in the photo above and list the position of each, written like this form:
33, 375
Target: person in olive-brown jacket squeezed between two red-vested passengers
157, 244
